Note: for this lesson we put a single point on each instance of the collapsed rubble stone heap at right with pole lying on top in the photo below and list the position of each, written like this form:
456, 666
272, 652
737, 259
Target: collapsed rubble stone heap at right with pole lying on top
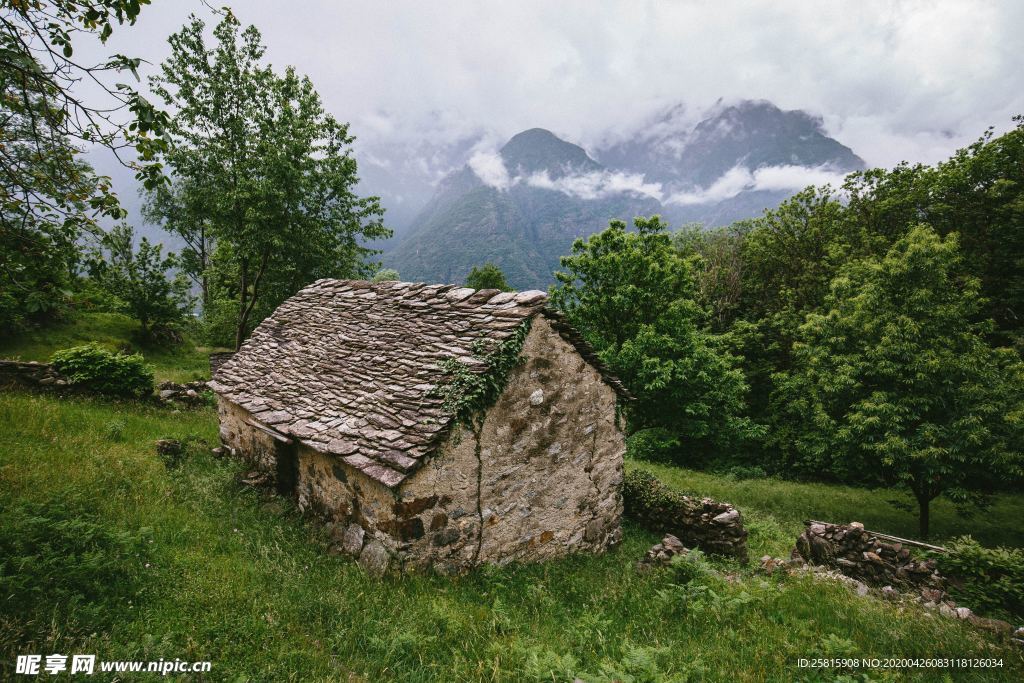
865, 557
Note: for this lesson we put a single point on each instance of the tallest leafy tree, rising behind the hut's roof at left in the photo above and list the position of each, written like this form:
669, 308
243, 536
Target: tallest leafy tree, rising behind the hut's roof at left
257, 155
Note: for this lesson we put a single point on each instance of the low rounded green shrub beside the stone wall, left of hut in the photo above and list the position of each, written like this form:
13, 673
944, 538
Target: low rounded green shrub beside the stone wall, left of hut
96, 369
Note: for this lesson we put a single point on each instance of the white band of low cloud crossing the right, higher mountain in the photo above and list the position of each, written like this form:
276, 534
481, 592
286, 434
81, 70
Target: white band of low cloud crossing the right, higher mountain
739, 180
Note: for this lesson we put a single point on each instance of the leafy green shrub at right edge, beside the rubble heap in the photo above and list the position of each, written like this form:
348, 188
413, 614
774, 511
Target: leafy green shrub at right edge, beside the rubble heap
987, 580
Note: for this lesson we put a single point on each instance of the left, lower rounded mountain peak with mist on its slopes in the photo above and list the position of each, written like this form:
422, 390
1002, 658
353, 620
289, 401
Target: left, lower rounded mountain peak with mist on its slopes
507, 208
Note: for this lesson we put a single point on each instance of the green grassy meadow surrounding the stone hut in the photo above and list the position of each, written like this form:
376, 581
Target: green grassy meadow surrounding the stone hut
107, 550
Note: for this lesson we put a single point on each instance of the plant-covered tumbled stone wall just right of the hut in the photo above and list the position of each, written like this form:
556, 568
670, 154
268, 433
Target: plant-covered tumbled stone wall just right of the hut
711, 526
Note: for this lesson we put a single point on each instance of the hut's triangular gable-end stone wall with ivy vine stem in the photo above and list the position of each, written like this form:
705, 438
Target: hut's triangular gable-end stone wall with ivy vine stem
542, 477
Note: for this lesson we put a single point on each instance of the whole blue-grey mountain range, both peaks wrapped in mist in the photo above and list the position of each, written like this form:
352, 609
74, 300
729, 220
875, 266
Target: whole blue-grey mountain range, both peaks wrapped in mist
522, 206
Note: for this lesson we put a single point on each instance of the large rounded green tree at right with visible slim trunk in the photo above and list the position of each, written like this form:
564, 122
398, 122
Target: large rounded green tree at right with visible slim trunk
894, 383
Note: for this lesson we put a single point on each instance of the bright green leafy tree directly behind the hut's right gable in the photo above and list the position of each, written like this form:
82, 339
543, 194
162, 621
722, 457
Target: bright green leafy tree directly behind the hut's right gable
632, 296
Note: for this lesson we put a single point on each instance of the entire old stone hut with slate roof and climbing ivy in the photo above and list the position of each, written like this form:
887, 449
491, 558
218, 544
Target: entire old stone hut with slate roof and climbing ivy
352, 398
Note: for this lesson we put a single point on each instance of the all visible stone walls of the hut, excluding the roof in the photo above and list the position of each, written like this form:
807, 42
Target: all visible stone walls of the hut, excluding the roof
543, 477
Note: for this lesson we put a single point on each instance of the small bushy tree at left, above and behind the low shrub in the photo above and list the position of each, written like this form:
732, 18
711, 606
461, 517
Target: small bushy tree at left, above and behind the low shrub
139, 279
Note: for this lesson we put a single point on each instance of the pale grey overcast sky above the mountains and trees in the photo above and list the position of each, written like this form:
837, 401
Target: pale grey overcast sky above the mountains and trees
892, 80
